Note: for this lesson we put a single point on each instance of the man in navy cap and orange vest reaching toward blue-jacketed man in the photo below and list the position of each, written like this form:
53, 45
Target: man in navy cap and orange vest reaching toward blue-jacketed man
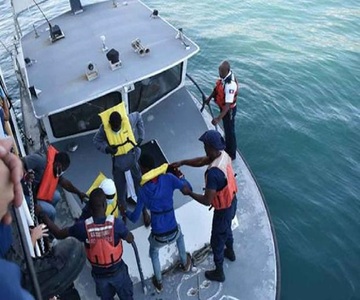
220, 194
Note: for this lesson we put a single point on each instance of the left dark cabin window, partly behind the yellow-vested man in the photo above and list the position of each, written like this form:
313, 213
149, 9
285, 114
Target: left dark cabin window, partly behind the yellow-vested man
82, 118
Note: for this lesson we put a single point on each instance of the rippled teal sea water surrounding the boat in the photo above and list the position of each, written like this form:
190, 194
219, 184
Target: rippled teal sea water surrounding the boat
298, 122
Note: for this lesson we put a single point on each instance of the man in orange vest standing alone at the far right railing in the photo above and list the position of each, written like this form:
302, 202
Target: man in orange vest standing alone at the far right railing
225, 94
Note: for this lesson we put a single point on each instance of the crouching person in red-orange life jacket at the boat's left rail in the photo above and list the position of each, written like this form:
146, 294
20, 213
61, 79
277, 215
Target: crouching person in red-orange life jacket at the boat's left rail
45, 173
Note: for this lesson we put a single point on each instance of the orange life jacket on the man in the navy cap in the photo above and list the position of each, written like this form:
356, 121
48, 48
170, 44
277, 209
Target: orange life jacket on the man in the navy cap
224, 197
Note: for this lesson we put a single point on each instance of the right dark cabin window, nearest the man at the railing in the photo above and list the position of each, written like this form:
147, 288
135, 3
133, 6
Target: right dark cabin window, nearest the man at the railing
150, 90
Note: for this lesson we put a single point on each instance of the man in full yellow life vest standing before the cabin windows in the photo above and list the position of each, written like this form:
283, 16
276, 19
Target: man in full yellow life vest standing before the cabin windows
116, 136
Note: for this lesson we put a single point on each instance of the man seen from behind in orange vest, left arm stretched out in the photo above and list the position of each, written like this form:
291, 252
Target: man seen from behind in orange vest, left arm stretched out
102, 237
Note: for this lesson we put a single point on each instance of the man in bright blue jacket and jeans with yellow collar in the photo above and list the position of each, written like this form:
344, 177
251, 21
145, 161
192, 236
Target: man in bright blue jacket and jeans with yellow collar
156, 194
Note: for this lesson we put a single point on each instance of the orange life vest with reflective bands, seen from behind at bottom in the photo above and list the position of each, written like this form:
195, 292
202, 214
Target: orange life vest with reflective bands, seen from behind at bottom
100, 248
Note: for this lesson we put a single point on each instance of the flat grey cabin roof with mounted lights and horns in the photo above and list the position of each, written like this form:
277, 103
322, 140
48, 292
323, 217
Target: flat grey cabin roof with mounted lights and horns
60, 67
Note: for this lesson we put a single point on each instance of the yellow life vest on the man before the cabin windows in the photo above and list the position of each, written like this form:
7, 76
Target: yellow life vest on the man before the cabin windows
125, 133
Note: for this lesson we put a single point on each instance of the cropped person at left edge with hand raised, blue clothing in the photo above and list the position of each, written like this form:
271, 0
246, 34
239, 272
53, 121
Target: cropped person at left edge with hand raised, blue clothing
10, 194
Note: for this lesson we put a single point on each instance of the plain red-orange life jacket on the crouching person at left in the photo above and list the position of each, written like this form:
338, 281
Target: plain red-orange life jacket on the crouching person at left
48, 181
